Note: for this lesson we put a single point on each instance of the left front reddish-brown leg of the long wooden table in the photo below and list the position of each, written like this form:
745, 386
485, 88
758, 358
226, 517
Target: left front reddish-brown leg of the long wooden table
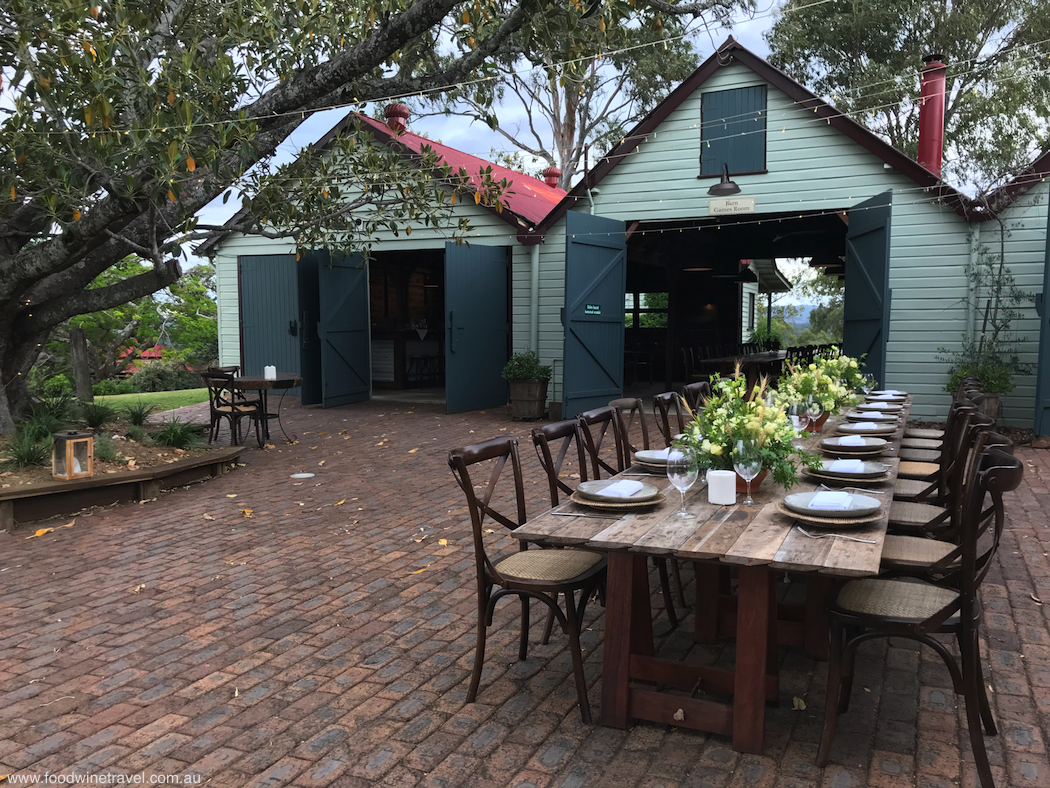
628, 630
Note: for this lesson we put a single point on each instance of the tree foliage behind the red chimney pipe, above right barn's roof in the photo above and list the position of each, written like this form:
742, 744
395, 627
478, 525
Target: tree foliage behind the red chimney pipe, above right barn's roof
865, 56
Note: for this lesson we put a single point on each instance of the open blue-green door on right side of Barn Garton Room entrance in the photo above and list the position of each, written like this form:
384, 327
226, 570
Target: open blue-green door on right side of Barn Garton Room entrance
868, 297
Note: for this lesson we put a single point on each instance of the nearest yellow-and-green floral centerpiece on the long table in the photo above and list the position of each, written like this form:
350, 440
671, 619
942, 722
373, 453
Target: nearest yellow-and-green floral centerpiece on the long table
733, 413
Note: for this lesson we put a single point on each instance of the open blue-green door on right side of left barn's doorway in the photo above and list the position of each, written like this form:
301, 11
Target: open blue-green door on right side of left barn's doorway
477, 327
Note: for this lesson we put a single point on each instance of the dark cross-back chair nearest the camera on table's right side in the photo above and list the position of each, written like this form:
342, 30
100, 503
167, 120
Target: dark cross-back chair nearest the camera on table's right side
868, 609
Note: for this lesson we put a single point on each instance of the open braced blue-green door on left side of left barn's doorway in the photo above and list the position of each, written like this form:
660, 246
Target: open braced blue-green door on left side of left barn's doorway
343, 328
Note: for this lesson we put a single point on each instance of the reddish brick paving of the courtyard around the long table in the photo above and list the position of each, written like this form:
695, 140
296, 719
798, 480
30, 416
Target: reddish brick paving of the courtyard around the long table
325, 641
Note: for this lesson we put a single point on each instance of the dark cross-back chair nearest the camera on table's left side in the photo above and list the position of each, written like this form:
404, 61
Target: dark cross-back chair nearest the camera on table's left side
527, 574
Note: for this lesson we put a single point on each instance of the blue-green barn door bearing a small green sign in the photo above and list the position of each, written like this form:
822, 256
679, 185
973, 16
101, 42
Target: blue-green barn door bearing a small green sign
596, 280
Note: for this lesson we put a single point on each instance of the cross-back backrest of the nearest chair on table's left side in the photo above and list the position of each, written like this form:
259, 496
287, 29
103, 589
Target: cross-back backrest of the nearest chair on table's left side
508, 509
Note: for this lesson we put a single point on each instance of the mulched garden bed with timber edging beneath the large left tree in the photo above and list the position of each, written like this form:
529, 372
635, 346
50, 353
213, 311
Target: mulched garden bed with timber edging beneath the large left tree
32, 494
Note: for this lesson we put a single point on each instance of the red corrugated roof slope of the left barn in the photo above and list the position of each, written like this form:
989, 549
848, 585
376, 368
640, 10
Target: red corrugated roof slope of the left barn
530, 198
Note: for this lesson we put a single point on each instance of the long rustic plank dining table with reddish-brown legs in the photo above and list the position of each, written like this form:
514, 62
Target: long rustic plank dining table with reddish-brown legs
760, 542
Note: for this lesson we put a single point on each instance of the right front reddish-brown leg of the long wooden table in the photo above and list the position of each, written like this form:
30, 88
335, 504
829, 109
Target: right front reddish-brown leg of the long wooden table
755, 621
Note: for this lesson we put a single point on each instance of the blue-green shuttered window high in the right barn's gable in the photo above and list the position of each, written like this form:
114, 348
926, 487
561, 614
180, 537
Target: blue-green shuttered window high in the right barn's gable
733, 131
